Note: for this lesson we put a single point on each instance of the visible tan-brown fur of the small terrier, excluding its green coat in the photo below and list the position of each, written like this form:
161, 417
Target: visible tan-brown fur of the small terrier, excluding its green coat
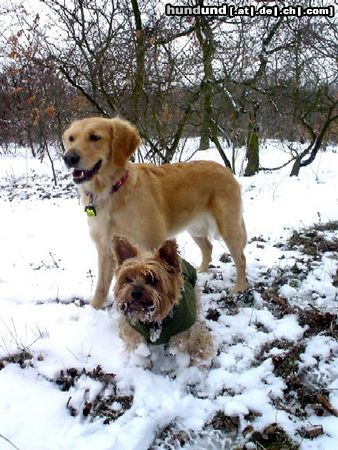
156, 279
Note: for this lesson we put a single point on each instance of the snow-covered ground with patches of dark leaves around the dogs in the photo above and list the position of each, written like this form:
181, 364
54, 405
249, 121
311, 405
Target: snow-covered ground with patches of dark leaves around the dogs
65, 381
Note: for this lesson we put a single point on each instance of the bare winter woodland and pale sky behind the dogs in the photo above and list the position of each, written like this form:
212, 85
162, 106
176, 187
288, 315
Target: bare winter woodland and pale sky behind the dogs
231, 81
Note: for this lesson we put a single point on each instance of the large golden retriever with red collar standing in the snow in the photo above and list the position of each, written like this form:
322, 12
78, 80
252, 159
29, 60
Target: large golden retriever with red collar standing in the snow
148, 203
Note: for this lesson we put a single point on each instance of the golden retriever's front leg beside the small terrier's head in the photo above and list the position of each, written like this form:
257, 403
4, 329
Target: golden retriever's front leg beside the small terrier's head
106, 270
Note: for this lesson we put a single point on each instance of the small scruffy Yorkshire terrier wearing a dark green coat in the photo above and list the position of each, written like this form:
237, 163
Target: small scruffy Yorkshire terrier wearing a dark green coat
157, 296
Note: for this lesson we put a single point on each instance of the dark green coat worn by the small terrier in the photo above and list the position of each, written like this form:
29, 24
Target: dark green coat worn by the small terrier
181, 318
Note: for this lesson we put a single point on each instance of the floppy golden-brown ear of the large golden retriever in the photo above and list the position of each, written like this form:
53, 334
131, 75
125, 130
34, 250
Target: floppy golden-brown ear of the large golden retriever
125, 140
